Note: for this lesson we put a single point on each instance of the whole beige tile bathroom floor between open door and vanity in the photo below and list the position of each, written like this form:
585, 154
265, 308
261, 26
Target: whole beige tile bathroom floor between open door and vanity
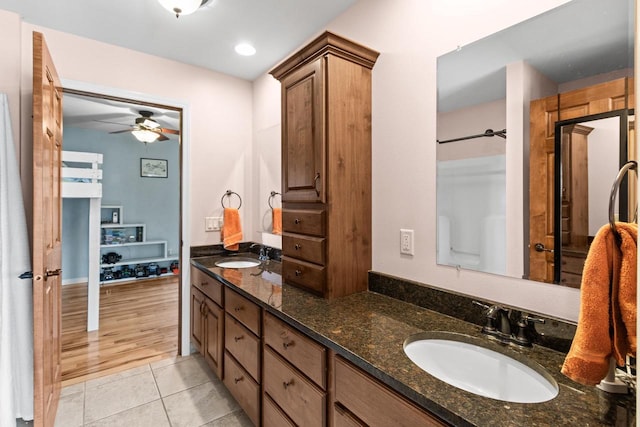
177, 392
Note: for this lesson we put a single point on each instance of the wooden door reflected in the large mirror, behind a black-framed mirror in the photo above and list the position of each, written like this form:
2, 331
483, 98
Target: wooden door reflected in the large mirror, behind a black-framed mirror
544, 113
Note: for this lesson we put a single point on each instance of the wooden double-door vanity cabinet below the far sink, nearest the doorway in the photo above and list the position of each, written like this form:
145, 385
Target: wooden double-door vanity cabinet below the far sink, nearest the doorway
207, 319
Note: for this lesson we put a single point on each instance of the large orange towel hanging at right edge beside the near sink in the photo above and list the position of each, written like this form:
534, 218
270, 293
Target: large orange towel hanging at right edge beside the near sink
607, 319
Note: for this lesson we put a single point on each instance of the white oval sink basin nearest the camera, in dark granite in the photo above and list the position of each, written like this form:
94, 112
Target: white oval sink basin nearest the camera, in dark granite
466, 363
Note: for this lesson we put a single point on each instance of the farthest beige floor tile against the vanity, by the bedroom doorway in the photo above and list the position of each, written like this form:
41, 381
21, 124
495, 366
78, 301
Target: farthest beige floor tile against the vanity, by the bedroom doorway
183, 375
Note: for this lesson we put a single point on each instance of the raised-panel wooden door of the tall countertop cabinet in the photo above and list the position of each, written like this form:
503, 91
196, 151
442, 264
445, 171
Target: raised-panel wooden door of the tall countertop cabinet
303, 134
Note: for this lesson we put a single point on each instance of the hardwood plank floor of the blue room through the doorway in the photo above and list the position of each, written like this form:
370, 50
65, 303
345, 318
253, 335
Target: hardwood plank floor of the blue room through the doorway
138, 325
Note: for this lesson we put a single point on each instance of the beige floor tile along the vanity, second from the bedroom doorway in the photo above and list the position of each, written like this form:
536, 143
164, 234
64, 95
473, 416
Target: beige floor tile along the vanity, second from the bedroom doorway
199, 405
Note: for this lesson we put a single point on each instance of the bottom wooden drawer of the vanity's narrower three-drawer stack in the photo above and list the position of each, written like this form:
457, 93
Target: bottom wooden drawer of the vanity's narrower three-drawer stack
243, 388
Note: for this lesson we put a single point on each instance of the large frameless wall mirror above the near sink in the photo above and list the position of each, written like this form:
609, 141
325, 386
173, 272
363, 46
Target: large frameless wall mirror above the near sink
502, 101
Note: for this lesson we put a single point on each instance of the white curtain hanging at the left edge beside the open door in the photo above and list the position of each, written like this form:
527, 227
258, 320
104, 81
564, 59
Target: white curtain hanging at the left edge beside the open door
16, 306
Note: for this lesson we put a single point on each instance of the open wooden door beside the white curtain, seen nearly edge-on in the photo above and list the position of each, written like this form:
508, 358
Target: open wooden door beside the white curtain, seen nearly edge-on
47, 239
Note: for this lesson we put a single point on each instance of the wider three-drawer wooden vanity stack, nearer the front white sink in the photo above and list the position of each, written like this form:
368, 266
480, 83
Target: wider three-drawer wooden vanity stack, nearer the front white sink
295, 377
